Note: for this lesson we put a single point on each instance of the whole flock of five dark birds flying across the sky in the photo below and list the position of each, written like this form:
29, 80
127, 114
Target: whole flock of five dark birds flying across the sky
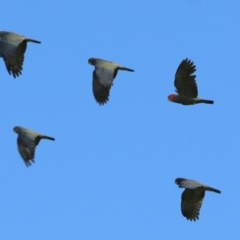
12, 49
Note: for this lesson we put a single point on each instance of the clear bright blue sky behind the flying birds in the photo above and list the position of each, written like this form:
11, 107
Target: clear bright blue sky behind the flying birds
110, 173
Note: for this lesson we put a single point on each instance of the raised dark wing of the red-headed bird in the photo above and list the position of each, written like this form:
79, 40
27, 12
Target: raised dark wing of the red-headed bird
185, 82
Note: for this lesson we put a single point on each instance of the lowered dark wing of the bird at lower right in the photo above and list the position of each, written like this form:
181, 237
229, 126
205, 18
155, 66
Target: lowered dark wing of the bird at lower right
191, 203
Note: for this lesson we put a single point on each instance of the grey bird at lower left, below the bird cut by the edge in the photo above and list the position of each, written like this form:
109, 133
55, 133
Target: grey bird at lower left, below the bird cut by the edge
27, 141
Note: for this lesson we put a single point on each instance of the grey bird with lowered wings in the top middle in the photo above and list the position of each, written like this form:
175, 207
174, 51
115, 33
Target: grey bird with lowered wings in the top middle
103, 76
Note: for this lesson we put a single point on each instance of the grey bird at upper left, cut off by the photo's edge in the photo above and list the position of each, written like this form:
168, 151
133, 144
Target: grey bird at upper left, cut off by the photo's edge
12, 49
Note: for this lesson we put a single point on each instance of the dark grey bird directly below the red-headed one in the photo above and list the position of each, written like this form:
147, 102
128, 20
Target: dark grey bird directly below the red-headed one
192, 197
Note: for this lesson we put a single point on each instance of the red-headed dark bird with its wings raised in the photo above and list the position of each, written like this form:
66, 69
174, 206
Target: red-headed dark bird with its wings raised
186, 85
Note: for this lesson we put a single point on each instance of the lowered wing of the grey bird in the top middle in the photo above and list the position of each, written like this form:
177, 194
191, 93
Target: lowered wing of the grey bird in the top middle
102, 82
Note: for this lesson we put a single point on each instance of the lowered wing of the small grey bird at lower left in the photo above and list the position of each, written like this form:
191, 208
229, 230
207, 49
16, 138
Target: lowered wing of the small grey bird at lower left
26, 148
